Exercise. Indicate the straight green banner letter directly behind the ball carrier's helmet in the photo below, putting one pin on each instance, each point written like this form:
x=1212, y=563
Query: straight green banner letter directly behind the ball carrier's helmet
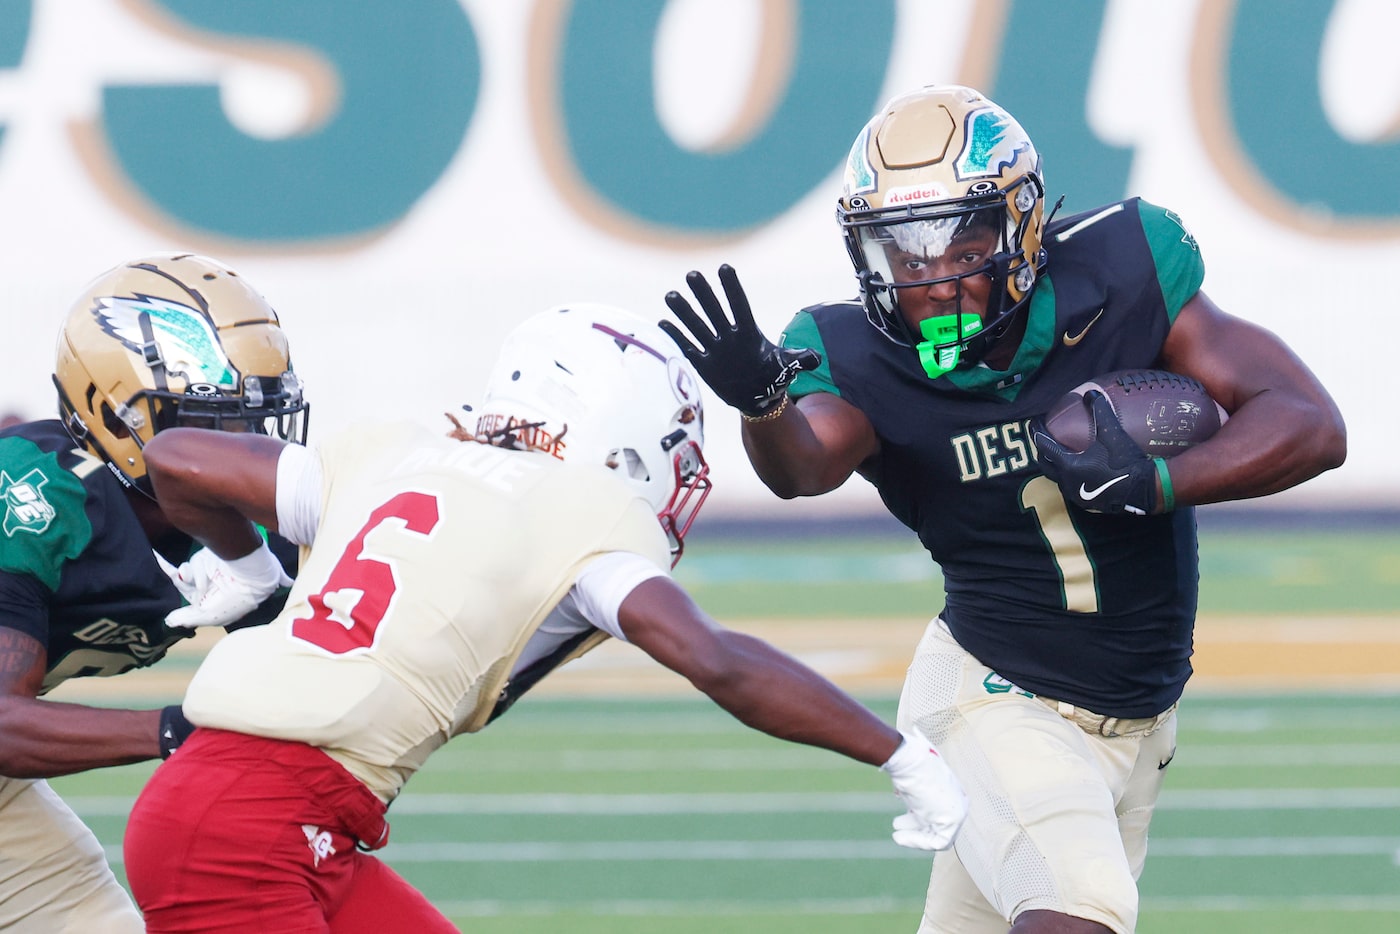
x=1042, y=78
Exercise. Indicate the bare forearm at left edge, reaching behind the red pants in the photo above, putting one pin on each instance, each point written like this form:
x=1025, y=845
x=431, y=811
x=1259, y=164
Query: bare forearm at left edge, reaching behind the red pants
x=44, y=739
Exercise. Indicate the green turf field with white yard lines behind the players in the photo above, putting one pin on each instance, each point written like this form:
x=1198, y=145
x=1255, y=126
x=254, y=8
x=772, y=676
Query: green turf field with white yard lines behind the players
x=661, y=816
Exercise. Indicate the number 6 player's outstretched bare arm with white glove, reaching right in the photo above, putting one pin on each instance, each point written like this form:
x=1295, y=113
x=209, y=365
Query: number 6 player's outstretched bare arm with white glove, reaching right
x=773, y=692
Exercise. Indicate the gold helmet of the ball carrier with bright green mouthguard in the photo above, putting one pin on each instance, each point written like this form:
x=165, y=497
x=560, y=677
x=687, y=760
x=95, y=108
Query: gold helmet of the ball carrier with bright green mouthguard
x=932, y=166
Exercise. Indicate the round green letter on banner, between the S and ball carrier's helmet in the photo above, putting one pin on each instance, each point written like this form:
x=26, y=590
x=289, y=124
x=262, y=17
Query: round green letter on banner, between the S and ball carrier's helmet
x=625, y=156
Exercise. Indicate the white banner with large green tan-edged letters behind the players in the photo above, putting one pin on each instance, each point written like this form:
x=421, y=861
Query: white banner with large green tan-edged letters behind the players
x=408, y=180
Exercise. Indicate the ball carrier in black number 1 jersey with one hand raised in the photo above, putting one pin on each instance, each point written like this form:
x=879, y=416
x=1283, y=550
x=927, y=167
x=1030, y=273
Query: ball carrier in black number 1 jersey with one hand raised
x=1051, y=677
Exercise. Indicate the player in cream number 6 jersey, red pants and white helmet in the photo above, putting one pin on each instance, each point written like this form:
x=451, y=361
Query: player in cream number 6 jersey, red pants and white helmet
x=442, y=578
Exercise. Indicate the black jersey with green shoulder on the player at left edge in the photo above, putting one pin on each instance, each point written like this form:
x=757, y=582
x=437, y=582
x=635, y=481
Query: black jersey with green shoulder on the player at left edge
x=76, y=569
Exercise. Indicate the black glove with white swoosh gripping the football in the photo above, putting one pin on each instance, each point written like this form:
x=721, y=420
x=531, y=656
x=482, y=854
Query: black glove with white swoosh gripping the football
x=1112, y=475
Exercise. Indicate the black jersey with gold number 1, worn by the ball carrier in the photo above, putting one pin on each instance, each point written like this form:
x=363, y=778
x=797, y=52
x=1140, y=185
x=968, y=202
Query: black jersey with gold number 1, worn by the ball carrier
x=1087, y=608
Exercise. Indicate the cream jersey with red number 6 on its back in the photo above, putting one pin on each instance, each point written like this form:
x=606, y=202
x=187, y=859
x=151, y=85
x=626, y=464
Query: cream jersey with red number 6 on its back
x=435, y=562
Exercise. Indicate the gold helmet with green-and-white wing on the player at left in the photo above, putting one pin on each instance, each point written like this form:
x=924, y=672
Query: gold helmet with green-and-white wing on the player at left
x=173, y=340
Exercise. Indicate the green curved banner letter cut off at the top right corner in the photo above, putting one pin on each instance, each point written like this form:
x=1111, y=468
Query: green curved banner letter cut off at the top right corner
x=1275, y=57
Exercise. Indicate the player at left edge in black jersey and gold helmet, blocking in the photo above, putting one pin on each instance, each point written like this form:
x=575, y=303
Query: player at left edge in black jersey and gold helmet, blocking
x=90, y=568
